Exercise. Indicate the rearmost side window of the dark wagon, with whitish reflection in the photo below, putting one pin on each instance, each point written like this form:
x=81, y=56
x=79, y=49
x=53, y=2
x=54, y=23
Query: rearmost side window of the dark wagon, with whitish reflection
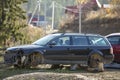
x=98, y=41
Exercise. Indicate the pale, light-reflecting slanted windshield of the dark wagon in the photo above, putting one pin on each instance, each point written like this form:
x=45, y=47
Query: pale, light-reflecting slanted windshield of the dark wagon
x=43, y=41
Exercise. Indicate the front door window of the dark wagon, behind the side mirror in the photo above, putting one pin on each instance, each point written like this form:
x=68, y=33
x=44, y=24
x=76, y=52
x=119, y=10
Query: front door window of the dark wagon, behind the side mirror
x=62, y=41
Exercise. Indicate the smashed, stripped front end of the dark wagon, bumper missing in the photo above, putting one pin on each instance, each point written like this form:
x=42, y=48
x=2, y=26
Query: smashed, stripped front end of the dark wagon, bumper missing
x=15, y=57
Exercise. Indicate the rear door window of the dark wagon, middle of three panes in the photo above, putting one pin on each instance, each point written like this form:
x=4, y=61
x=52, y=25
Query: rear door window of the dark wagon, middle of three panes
x=80, y=40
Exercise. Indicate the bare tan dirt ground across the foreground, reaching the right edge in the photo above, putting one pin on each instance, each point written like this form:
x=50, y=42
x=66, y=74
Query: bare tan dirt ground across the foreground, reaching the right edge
x=108, y=74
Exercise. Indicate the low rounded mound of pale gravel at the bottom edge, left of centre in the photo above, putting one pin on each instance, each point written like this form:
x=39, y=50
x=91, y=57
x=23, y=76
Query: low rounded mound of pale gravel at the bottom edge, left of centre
x=47, y=76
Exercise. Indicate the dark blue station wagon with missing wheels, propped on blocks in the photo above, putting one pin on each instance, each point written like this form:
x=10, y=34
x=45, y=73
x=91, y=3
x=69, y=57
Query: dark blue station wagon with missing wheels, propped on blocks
x=62, y=48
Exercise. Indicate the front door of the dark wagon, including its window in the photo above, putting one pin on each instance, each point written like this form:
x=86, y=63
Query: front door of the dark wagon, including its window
x=60, y=49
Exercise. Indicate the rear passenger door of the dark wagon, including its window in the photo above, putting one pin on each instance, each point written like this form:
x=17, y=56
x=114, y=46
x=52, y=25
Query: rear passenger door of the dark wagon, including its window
x=79, y=49
